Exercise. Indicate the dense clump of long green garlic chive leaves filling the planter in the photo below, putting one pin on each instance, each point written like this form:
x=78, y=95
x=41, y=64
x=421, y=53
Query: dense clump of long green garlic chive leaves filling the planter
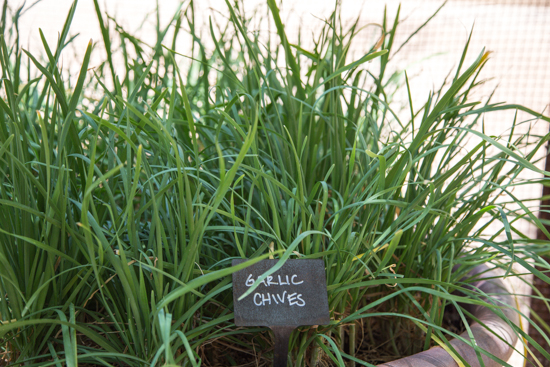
x=118, y=221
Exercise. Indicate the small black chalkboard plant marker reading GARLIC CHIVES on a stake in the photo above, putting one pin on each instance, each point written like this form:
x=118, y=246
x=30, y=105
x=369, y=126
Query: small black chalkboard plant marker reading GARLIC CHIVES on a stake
x=294, y=295
